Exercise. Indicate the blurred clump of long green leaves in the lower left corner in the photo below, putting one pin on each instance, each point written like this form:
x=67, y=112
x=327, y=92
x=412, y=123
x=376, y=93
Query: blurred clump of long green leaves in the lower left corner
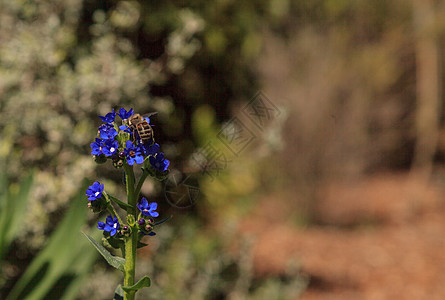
x=60, y=268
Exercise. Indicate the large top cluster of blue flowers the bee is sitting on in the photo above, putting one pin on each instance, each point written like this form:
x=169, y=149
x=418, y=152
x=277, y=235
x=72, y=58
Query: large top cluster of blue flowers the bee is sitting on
x=121, y=143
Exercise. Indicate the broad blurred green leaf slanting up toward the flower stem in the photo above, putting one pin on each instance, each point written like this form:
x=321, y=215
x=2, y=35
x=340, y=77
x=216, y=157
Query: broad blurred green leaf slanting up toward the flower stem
x=64, y=258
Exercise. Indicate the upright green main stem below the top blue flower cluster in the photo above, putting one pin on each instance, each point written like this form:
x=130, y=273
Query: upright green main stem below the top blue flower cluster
x=131, y=241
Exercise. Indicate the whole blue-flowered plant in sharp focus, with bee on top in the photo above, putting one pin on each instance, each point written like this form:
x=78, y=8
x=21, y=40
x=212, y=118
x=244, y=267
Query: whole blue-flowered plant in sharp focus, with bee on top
x=126, y=144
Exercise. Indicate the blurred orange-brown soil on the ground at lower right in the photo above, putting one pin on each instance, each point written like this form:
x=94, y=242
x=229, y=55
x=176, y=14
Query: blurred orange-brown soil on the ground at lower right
x=380, y=238
